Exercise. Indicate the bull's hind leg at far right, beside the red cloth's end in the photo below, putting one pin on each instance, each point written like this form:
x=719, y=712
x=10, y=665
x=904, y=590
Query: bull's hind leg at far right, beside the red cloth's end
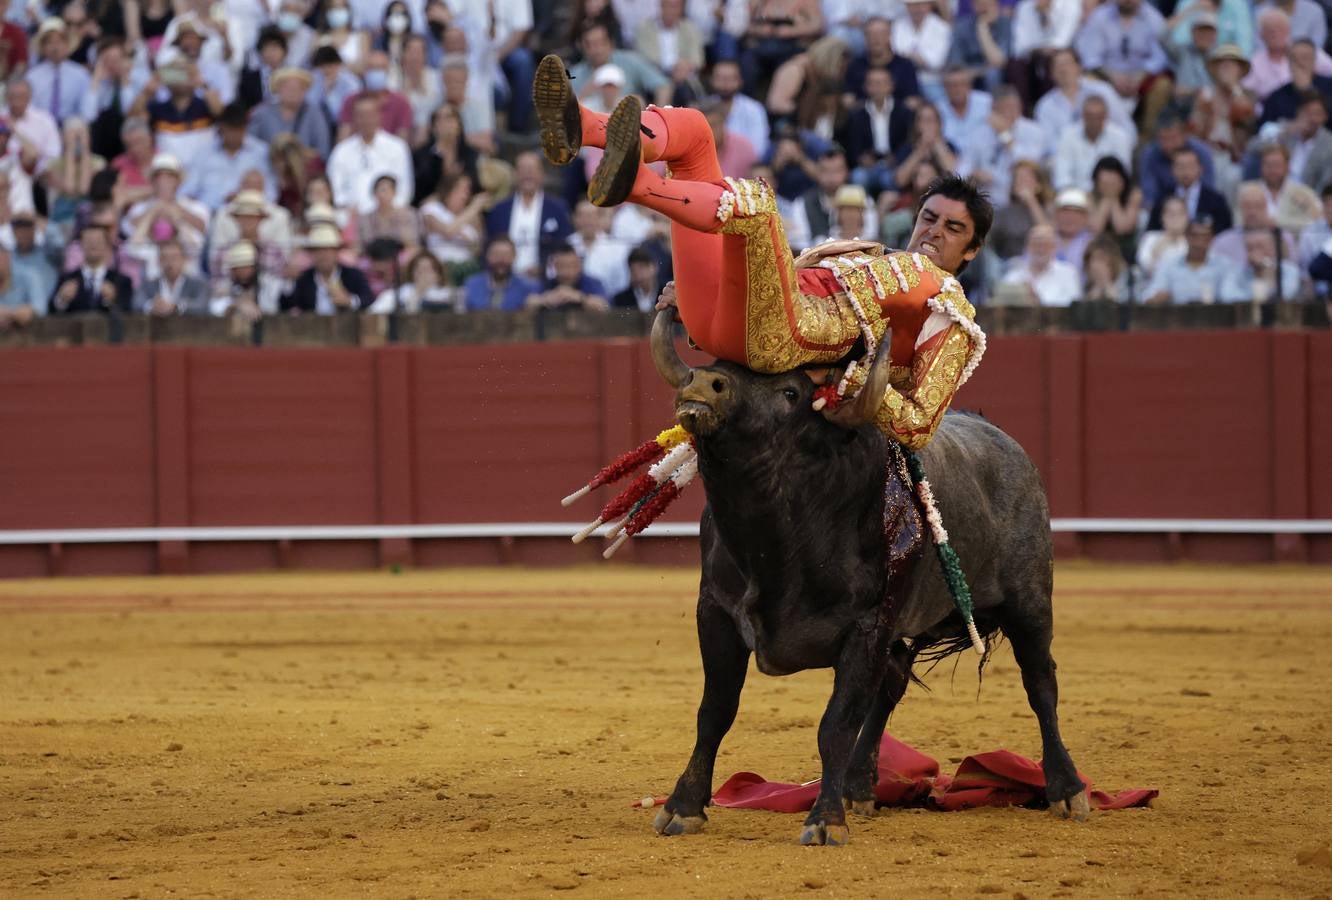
x=1030, y=642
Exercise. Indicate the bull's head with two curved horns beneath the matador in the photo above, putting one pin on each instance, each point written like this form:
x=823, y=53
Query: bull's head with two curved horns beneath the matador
x=724, y=393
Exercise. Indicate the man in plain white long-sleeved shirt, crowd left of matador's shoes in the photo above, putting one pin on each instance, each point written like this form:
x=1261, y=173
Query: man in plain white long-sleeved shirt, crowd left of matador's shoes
x=370, y=152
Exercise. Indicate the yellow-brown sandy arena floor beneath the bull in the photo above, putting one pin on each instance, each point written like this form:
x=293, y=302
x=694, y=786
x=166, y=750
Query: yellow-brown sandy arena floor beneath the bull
x=480, y=734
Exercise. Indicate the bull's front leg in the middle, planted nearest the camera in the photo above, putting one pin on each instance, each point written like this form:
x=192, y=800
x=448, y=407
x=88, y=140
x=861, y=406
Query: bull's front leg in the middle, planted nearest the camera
x=854, y=684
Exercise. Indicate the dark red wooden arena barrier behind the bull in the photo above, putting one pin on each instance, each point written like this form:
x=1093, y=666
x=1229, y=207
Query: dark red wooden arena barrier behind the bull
x=1136, y=425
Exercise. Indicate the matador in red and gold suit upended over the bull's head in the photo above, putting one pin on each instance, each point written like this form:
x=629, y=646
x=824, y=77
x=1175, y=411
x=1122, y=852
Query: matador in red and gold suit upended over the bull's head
x=744, y=298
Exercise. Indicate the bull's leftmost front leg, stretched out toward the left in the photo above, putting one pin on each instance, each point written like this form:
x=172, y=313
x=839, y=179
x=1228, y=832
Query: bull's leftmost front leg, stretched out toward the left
x=725, y=665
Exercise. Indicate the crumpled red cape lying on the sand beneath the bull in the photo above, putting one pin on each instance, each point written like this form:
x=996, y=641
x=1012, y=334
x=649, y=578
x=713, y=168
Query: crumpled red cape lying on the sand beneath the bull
x=909, y=778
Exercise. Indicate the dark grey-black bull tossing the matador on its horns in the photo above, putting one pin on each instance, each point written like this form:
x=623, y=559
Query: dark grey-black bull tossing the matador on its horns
x=796, y=572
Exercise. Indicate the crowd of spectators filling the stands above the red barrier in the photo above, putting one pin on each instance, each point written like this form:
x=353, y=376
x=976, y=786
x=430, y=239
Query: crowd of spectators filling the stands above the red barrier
x=247, y=158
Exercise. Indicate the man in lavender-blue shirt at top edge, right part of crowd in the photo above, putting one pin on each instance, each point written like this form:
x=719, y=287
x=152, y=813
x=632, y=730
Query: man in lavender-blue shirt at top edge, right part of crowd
x=1122, y=42
